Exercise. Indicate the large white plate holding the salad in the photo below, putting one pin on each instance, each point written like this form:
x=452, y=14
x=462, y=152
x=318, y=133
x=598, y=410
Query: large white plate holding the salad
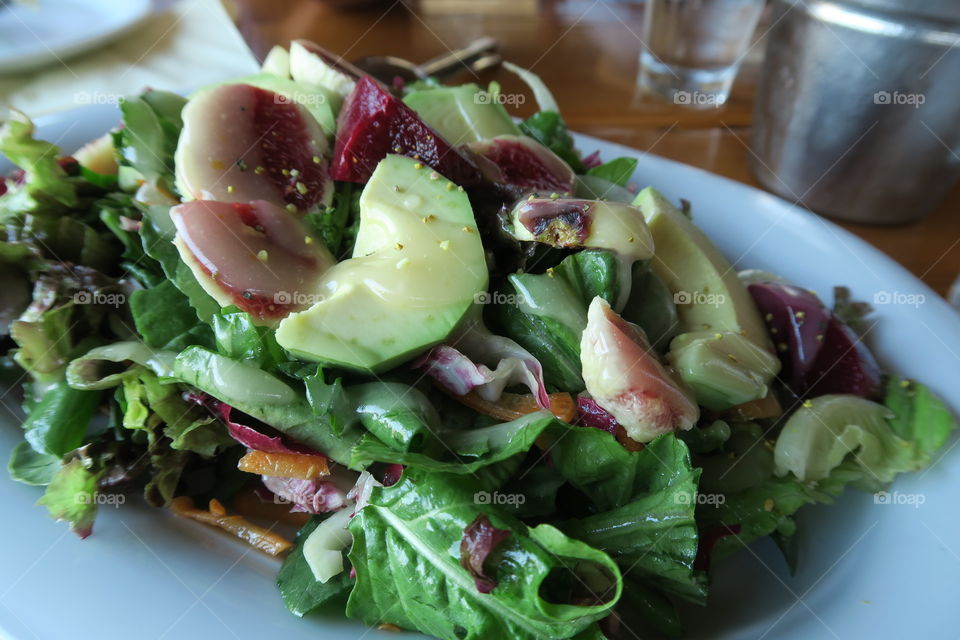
x=867, y=570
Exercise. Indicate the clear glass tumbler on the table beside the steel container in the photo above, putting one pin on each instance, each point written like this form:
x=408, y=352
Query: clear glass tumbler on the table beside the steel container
x=693, y=48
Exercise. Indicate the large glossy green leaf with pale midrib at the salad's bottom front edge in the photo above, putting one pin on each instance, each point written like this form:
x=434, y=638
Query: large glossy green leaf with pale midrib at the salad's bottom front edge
x=406, y=556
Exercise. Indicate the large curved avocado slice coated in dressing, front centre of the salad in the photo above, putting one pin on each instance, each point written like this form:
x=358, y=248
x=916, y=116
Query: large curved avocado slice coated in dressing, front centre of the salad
x=417, y=266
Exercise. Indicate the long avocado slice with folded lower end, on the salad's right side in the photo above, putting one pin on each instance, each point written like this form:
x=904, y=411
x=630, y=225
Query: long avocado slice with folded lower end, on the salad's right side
x=723, y=352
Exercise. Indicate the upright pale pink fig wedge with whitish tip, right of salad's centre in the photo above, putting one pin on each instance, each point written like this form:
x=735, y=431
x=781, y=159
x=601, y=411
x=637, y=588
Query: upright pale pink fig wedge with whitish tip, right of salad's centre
x=624, y=376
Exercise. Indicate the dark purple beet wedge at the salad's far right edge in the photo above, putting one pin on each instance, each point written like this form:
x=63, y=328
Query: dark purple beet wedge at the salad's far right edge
x=820, y=354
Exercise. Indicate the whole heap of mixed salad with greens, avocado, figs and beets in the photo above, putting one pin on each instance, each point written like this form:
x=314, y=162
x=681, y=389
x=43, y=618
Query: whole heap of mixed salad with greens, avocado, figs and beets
x=503, y=395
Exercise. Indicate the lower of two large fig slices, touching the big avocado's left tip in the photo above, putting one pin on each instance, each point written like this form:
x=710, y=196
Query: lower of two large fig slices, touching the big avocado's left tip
x=256, y=256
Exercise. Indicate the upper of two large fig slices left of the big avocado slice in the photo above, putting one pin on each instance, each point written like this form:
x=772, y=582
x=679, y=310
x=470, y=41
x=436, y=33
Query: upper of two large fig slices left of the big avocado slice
x=242, y=143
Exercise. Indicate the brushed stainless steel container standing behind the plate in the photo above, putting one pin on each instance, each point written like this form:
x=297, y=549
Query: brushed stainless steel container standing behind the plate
x=858, y=109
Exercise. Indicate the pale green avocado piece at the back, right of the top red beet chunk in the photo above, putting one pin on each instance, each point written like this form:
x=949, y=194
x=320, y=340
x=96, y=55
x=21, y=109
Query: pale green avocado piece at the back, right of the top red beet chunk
x=462, y=114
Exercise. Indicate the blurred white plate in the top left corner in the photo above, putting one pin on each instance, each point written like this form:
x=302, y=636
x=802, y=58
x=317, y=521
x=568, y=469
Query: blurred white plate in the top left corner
x=32, y=35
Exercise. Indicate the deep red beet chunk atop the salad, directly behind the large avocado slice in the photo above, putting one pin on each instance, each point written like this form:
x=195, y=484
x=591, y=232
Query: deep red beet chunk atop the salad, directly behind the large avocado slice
x=373, y=123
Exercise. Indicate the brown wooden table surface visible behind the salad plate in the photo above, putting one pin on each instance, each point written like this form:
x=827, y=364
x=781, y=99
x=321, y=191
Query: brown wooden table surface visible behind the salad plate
x=587, y=52
